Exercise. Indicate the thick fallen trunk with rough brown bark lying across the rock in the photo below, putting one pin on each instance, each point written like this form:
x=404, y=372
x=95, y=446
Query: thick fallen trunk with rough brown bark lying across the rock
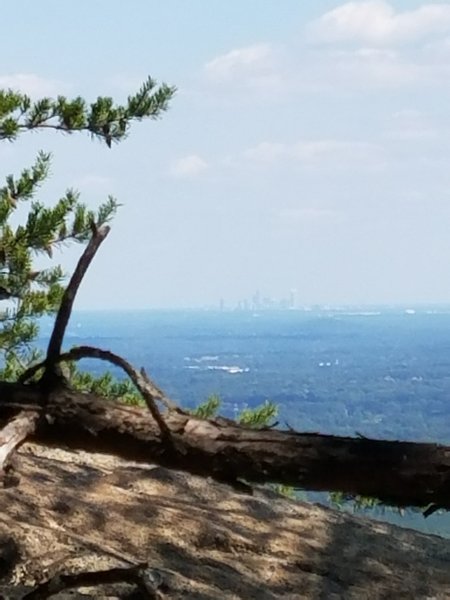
x=400, y=473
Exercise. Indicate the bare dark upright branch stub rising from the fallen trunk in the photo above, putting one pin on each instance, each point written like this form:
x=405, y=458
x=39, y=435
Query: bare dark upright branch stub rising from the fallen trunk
x=65, y=309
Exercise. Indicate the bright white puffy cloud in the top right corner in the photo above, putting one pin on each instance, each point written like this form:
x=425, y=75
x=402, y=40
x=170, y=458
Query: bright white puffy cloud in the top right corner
x=376, y=22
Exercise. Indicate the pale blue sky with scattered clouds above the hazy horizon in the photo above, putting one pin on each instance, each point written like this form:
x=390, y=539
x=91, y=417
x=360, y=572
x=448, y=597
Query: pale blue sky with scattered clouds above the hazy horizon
x=307, y=147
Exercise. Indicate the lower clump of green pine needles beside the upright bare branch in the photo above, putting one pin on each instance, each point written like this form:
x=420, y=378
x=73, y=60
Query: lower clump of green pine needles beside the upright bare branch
x=36, y=292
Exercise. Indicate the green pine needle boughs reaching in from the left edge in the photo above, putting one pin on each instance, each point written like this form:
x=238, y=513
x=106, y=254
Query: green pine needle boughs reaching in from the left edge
x=26, y=292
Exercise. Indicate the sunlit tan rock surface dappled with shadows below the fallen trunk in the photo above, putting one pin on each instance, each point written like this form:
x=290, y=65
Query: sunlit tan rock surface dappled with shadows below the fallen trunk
x=70, y=512
